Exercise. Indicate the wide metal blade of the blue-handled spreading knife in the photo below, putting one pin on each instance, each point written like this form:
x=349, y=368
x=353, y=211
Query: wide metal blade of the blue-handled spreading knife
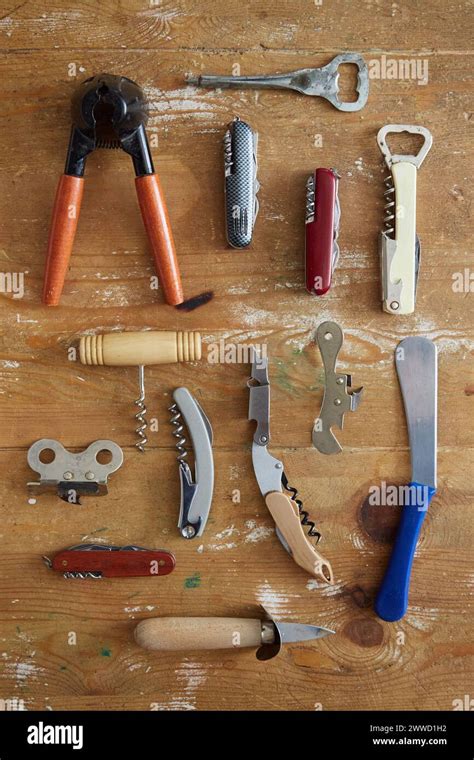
x=417, y=367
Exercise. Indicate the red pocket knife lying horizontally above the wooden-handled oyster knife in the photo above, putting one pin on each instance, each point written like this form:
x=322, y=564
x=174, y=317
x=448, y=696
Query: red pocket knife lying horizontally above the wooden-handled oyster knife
x=99, y=561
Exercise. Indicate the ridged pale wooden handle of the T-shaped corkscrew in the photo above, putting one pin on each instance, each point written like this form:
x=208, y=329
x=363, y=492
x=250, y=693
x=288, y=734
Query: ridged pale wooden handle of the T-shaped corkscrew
x=135, y=348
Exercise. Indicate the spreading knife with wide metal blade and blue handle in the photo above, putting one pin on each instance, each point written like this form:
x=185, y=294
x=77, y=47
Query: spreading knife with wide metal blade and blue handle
x=417, y=368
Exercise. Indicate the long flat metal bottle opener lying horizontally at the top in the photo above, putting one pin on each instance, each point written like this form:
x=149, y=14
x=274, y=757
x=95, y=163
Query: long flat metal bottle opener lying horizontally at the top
x=321, y=81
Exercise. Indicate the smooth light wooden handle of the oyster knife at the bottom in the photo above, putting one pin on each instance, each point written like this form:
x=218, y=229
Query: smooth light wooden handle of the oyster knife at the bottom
x=174, y=634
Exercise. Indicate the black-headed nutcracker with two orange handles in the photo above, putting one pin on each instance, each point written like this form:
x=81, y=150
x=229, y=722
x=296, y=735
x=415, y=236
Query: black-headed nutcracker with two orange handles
x=109, y=112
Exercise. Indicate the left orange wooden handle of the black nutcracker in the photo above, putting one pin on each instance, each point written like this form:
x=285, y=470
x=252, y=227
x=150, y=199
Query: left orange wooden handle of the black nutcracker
x=67, y=206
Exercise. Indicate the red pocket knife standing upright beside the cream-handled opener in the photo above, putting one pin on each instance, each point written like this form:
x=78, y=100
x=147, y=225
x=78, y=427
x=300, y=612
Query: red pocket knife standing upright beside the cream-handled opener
x=322, y=227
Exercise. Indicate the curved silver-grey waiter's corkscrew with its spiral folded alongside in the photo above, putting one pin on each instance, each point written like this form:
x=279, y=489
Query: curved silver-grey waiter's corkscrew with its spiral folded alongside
x=197, y=489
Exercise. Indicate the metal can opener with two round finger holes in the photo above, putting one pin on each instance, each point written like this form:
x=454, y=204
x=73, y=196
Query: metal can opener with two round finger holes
x=73, y=475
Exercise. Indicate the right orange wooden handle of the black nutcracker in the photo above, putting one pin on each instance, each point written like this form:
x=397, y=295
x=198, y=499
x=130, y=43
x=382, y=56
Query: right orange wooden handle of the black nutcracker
x=157, y=224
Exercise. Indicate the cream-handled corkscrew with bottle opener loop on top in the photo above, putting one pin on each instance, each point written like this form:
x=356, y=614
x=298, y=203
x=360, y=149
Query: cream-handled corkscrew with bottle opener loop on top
x=399, y=244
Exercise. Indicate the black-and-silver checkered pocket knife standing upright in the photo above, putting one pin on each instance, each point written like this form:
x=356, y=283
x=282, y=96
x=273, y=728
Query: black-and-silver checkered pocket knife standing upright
x=241, y=184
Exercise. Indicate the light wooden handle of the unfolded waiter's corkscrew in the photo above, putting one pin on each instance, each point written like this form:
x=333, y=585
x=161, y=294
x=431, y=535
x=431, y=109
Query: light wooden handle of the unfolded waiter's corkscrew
x=285, y=513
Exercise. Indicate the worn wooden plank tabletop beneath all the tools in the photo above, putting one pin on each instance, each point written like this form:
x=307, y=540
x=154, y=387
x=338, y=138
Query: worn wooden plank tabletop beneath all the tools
x=425, y=660
